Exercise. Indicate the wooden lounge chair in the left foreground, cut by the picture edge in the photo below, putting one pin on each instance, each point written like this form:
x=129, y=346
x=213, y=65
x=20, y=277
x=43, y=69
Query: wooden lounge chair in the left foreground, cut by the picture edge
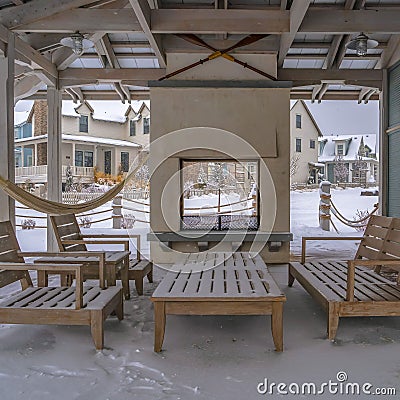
x=71, y=305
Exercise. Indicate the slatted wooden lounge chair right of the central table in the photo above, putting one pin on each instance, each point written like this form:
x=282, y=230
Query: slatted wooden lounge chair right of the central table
x=354, y=288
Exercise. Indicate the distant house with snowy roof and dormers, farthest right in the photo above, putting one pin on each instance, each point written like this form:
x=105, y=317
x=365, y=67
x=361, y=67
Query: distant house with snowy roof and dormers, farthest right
x=349, y=158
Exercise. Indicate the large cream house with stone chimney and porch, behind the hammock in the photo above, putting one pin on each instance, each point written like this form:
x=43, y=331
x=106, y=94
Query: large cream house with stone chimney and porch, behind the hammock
x=98, y=134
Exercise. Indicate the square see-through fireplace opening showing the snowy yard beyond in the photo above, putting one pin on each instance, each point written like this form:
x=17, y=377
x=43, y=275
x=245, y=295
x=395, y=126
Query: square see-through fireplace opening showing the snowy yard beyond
x=219, y=195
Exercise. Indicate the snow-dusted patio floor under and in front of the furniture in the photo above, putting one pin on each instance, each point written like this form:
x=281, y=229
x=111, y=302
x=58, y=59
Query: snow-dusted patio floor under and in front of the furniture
x=203, y=357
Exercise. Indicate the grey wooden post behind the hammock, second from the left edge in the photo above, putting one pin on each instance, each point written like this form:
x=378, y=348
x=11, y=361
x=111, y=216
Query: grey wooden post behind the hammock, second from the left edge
x=54, y=167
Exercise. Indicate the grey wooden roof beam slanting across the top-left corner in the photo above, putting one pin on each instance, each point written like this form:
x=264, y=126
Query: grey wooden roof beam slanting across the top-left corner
x=36, y=10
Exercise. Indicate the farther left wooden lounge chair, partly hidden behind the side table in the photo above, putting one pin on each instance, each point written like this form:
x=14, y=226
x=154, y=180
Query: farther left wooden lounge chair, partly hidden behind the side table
x=70, y=238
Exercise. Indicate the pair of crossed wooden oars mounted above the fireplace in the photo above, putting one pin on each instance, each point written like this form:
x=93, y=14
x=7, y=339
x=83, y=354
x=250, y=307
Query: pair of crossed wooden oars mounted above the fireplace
x=220, y=53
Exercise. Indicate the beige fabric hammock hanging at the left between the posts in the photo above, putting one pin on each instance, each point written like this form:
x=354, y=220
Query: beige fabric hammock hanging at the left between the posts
x=54, y=208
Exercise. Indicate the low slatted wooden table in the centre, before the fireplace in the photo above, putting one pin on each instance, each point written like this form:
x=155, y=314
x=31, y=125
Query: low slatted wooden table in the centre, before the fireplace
x=216, y=284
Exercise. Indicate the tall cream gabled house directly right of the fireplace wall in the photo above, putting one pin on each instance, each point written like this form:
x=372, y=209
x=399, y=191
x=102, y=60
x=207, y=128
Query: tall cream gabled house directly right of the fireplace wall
x=304, y=134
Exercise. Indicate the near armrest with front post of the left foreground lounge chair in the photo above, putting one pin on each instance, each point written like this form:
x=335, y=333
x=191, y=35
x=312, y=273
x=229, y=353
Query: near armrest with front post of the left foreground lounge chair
x=75, y=268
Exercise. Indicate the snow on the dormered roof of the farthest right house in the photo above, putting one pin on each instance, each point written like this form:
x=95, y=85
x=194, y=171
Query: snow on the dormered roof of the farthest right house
x=353, y=142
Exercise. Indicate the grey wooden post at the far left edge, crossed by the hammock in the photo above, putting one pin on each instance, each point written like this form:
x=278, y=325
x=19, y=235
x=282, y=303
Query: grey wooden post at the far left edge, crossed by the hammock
x=7, y=159
